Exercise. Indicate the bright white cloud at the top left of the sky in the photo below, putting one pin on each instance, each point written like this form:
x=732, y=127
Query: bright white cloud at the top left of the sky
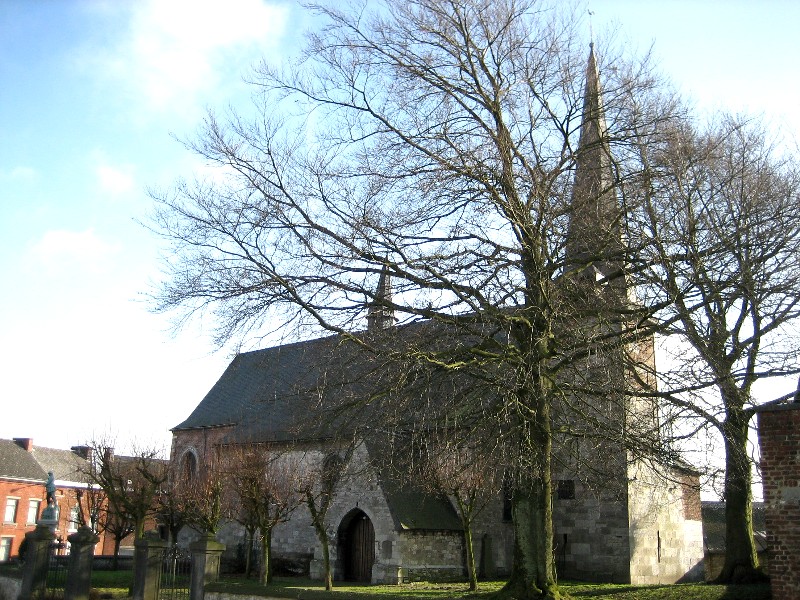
x=180, y=50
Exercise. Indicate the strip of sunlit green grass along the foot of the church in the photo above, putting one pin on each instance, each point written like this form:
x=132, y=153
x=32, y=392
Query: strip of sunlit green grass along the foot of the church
x=311, y=590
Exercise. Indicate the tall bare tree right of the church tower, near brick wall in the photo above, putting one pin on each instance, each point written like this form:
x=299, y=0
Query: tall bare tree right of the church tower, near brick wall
x=721, y=227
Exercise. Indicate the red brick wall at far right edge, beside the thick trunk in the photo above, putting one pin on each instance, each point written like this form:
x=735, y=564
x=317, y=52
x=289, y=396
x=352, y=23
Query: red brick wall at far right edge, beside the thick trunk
x=779, y=439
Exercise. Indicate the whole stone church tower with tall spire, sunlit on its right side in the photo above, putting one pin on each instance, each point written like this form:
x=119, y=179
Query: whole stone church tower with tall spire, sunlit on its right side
x=652, y=530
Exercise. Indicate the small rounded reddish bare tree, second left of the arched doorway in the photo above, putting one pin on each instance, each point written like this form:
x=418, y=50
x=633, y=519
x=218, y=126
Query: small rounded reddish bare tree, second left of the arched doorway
x=266, y=485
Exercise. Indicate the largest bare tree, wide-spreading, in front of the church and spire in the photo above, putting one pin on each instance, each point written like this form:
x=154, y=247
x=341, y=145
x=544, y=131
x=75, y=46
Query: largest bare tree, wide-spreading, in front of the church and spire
x=434, y=143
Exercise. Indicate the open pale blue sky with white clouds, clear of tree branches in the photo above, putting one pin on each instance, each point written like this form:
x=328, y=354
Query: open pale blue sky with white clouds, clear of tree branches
x=92, y=94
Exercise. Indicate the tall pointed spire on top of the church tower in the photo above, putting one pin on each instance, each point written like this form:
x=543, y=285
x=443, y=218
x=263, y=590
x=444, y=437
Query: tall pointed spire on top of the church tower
x=594, y=233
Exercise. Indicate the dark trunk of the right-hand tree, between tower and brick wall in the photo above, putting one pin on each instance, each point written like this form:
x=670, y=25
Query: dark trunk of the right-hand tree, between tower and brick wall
x=741, y=560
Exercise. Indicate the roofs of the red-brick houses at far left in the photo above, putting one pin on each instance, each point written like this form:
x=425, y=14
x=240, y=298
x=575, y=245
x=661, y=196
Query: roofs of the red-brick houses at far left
x=18, y=463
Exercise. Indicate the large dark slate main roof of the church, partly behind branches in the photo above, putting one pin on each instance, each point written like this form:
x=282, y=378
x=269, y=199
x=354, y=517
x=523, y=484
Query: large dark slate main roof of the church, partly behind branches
x=301, y=391
